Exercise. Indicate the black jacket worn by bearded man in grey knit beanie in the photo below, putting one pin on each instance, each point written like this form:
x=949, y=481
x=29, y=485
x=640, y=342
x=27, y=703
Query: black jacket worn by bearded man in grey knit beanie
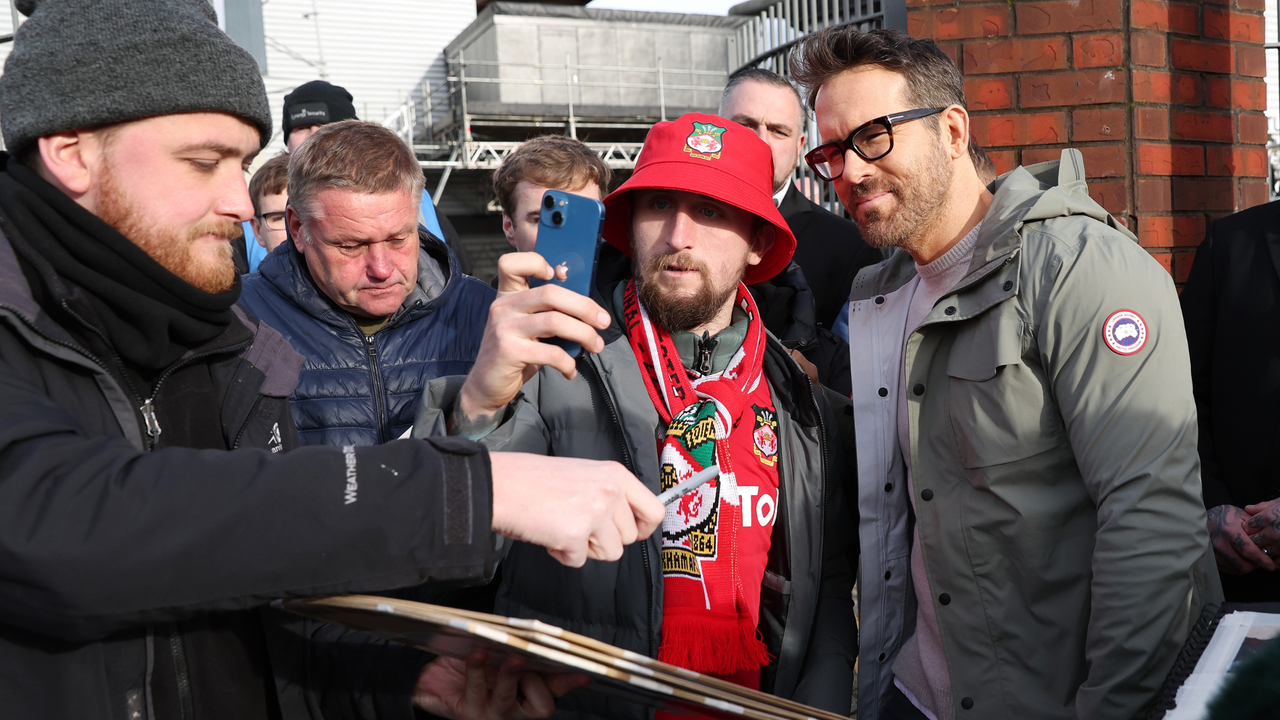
x=111, y=553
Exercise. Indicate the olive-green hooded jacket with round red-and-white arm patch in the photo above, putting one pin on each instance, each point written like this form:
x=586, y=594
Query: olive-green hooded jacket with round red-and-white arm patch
x=1058, y=486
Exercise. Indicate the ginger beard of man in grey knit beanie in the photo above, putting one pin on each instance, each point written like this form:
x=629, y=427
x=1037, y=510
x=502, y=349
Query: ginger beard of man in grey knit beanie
x=173, y=249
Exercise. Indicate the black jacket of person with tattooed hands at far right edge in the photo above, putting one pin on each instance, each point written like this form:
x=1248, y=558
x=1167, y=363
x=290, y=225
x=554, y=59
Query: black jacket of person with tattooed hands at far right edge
x=1232, y=308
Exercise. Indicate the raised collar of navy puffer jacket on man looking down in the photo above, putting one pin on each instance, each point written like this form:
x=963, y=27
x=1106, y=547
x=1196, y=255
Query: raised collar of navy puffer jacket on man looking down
x=438, y=277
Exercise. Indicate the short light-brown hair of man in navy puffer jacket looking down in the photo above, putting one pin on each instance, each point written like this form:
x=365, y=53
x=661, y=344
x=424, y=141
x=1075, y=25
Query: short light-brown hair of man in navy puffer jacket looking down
x=353, y=156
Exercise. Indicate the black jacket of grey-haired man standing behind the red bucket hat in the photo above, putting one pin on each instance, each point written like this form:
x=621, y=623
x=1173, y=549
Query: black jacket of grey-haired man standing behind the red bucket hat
x=829, y=249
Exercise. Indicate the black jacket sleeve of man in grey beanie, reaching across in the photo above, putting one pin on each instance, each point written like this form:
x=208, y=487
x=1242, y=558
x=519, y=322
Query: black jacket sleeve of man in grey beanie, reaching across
x=97, y=536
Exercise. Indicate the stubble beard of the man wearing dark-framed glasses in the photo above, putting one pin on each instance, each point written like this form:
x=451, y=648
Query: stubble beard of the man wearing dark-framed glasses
x=922, y=199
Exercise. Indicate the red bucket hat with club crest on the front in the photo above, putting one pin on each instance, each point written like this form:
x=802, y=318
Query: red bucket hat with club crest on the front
x=712, y=157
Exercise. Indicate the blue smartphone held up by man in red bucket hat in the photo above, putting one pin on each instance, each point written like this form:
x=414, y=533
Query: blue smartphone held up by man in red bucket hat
x=569, y=235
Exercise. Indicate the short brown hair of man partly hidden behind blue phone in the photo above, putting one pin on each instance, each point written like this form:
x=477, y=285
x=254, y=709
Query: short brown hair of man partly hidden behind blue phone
x=550, y=161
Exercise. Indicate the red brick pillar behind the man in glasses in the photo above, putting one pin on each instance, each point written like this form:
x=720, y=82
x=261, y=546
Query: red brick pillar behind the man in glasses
x=1164, y=99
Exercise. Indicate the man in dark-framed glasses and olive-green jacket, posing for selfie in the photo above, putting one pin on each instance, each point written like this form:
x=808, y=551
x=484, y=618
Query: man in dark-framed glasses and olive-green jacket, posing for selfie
x=1021, y=384
